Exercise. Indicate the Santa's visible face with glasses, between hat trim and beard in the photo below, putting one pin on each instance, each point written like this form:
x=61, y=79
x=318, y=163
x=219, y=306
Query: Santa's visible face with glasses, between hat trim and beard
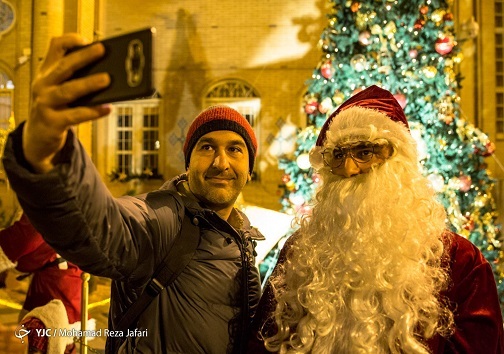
x=356, y=158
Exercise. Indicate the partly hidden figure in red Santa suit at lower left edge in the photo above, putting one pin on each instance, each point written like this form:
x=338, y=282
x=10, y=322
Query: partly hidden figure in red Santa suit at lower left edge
x=53, y=278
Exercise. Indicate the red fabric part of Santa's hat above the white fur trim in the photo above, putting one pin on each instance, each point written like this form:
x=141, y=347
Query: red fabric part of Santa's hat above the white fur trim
x=372, y=97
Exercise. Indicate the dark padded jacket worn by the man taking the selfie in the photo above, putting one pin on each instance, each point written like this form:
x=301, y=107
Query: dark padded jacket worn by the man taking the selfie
x=125, y=239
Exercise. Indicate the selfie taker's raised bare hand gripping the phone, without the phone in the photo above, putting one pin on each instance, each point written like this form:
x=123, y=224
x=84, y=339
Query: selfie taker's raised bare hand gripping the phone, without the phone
x=45, y=131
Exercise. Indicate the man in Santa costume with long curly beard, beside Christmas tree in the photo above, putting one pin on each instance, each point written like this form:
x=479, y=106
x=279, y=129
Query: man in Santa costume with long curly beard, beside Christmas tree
x=374, y=269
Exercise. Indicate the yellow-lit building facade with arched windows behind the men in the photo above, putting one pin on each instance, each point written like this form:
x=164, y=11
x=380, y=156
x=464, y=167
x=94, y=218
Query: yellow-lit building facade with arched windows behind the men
x=255, y=56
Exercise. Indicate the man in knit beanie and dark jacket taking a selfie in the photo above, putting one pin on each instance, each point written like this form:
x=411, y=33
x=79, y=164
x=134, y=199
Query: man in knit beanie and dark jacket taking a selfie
x=212, y=298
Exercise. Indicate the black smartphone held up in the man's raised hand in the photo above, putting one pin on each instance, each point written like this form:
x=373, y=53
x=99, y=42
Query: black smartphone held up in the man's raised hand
x=128, y=60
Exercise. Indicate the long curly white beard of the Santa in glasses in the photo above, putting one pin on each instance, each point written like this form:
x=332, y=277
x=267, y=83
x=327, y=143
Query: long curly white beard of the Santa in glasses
x=365, y=273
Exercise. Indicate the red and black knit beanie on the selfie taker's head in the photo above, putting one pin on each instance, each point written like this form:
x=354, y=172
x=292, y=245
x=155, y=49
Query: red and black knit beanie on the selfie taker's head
x=220, y=118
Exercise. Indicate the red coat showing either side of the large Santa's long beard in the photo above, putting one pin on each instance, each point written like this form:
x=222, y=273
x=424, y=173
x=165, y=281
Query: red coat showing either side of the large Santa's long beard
x=472, y=294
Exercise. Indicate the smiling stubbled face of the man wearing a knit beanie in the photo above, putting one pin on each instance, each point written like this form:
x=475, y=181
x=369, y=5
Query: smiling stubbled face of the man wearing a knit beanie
x=218, y=168
